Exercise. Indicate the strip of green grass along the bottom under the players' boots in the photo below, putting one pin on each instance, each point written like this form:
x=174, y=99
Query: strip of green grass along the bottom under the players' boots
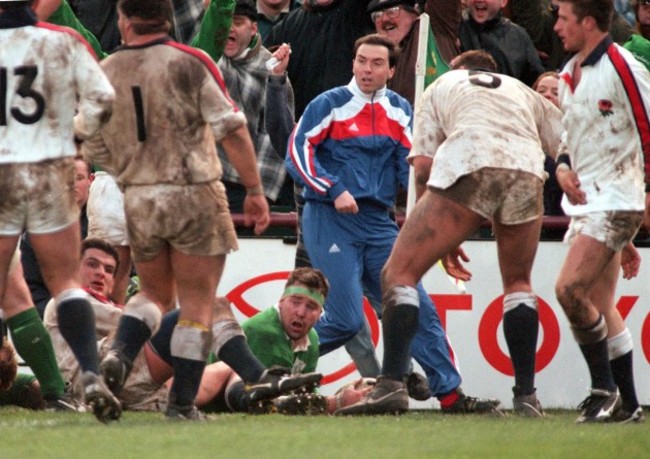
x=422, y=434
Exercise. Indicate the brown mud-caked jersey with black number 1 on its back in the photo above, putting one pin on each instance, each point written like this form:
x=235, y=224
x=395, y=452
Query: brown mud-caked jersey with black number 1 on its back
x=171, y=106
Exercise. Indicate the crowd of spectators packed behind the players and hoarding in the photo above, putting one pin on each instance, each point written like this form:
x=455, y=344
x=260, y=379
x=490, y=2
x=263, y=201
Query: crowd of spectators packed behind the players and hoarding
x=518, y=33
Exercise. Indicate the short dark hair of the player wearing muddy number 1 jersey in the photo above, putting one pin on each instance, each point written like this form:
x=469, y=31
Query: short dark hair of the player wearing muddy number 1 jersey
x=148, y=16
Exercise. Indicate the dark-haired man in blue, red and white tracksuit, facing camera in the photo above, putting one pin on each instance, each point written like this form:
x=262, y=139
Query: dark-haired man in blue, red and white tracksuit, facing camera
x=349, y=152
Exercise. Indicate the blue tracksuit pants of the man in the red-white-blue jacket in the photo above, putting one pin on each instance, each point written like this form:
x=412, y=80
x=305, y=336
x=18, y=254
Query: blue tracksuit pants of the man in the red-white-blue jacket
x=351, y=250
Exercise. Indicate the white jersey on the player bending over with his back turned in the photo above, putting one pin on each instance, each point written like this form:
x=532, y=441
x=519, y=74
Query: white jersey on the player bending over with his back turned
x=473, y=119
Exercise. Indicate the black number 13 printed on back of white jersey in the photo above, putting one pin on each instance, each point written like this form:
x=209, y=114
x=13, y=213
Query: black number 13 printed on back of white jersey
x=26, y=74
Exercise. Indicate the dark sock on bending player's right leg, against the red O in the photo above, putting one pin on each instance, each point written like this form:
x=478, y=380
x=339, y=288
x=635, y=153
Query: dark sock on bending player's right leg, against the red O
x=520, y=328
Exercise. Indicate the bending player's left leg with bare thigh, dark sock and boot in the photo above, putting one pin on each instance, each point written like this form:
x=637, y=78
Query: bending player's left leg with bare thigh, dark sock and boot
x=436, y=227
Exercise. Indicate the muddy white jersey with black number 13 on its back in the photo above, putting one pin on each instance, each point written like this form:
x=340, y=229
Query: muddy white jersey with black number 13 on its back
x=47, y=74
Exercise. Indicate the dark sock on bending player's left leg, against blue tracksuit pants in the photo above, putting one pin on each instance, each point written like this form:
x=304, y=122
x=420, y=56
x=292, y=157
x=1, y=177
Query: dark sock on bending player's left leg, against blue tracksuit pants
x=399, y=325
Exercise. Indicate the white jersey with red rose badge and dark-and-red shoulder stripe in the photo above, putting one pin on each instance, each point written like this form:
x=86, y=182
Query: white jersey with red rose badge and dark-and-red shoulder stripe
x=607, y=132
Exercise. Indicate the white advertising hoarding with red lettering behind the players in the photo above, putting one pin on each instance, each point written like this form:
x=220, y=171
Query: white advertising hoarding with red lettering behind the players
x=255, y=275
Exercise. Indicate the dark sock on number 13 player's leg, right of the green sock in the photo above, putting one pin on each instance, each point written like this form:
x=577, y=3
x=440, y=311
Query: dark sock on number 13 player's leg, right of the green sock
x=76, y=319
